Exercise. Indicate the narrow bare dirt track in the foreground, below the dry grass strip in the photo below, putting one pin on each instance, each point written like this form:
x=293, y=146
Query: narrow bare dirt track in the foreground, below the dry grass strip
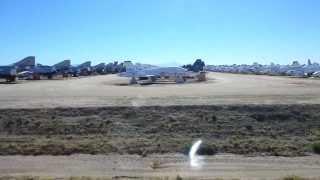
x=225, y=166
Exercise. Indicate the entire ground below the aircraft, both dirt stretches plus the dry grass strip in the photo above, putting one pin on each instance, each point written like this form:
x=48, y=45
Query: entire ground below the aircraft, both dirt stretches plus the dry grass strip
x=120, y=130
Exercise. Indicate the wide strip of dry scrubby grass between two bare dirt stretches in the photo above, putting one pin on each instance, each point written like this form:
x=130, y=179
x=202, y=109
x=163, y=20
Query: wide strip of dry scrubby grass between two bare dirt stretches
x=279, y=130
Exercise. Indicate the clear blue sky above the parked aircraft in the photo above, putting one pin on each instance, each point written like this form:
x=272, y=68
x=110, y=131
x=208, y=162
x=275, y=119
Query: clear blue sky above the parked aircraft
x=165, y=32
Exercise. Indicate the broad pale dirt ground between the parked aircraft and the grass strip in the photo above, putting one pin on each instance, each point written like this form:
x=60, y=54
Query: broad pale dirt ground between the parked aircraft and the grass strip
x=106, y=91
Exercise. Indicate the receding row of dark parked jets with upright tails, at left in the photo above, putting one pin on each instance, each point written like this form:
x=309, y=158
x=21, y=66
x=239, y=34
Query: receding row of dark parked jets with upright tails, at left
x=28, y=69
